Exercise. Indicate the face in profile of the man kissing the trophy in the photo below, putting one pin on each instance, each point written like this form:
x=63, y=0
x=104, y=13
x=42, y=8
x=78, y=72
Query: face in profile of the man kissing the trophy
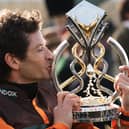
x=38, y=62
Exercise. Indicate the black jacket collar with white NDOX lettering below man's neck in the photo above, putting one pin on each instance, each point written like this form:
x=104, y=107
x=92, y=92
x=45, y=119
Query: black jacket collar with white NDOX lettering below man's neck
x=20, y=91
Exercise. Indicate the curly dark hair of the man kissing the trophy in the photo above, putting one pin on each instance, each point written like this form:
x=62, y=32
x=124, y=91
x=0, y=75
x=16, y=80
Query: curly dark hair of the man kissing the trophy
x=14, y=28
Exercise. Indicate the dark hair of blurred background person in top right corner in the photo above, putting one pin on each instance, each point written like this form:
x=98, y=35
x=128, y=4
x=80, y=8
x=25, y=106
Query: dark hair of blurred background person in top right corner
x=124, y=10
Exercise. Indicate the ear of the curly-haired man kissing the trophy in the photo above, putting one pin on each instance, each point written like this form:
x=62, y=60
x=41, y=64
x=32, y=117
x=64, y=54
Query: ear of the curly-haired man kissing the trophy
x=12, y=61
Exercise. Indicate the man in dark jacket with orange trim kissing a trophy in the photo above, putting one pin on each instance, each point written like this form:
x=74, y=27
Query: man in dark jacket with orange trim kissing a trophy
x=25, y=60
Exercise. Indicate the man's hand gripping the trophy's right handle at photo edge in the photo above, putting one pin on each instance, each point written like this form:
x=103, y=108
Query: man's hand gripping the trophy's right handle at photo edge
x=122, y=84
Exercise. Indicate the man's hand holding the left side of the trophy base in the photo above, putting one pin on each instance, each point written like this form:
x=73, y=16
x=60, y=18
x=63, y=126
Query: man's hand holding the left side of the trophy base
x=67, y=102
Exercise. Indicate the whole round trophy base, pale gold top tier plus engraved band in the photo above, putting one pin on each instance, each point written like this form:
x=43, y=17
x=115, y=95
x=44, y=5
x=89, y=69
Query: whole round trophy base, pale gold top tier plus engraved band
x=96, y=109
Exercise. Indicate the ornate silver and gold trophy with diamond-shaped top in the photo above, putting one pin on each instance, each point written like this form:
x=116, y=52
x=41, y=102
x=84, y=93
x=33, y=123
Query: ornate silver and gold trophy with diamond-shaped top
x=88, y=29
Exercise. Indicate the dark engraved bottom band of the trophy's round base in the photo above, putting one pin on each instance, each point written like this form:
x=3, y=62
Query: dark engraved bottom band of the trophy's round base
x=97, y=113
